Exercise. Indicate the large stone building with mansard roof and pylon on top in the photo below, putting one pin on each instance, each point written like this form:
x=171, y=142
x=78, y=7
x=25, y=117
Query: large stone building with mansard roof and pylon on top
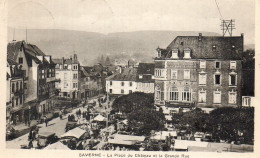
x=202, y=71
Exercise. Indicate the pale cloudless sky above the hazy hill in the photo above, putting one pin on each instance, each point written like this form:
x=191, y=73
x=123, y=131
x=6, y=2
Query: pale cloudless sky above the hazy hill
x=107, y=16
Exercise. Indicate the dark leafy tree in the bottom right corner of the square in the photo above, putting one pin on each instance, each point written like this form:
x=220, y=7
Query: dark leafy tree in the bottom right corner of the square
x=228, y=123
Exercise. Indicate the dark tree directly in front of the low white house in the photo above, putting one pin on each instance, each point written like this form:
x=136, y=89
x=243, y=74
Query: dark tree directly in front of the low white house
x=133, y=101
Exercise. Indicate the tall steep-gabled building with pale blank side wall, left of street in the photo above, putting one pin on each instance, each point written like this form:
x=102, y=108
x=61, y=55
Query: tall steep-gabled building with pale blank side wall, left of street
x=39, y=78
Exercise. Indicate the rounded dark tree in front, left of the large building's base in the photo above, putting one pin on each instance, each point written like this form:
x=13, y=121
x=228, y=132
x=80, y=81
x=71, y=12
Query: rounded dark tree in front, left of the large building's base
x=142, y=121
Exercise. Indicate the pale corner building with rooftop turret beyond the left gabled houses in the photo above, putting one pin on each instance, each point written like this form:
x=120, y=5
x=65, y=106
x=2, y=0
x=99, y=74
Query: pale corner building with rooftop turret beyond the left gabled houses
x=68, y=71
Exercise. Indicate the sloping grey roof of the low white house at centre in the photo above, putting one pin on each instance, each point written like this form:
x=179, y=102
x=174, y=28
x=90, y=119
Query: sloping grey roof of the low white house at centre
x=127, y=74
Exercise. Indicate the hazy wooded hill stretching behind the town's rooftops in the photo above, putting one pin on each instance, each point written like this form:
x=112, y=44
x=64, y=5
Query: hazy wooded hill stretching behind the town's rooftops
x=139, y=45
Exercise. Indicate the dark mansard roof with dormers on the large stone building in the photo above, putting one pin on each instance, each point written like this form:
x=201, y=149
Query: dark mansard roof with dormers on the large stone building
x=225, y=47
